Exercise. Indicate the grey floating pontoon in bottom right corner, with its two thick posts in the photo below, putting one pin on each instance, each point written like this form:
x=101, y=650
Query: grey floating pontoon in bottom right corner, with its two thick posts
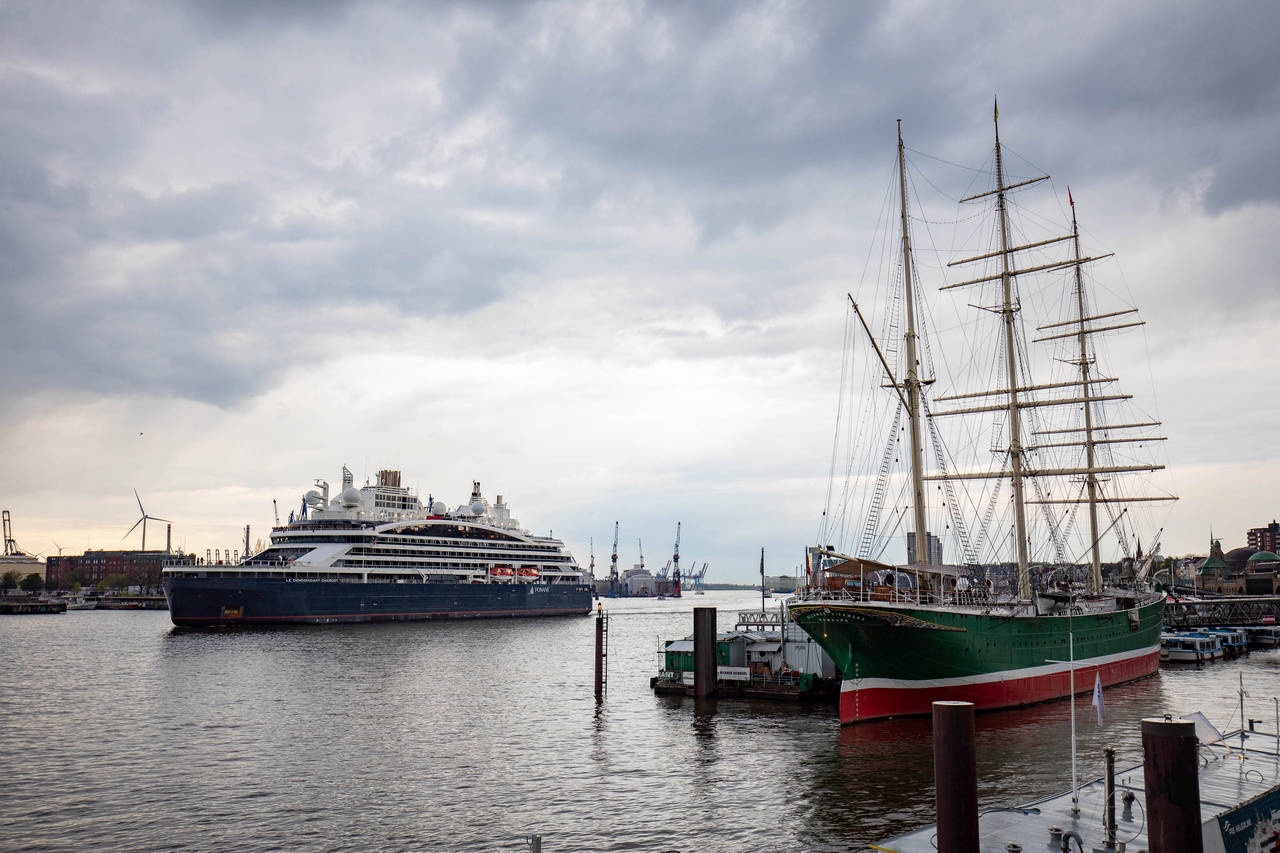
x=1197, y=791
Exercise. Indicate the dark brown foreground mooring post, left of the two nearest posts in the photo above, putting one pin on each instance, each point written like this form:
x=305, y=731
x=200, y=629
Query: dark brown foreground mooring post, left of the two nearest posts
x=956, y=777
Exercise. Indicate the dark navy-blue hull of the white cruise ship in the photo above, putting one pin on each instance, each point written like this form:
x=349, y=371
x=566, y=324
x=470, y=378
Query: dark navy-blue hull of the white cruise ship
x=277, y=601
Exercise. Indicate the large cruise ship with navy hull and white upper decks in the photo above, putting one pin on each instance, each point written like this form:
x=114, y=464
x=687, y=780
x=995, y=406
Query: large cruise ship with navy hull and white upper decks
x=378, y=554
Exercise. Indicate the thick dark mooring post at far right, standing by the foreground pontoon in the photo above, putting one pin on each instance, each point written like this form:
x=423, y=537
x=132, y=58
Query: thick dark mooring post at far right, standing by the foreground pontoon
x=1172, y=774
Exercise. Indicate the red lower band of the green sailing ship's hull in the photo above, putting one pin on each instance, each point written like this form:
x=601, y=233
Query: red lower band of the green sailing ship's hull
x=863, y=700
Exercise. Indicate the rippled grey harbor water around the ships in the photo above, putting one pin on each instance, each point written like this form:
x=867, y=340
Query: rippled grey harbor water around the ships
x=118, y=732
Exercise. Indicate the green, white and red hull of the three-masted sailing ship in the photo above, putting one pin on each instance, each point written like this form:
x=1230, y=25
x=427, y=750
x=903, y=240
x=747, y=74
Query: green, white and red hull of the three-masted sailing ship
x=897, y=662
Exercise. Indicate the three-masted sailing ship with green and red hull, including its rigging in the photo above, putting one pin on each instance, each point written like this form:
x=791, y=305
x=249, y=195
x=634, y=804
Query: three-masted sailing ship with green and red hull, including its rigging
x=1011, y=632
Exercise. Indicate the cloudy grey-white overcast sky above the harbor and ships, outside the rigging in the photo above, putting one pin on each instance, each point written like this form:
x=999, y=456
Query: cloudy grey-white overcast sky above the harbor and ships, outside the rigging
x=593, y=256
